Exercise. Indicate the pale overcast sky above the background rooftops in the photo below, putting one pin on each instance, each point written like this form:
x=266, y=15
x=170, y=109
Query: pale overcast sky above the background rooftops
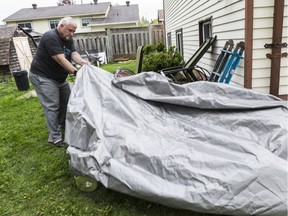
x=147, y=9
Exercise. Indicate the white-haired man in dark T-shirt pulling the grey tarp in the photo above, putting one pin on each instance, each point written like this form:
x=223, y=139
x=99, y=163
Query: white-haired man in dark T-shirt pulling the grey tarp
x=48, y=73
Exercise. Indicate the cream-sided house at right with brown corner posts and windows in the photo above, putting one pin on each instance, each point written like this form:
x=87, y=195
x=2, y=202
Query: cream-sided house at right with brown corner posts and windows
x=188, y=23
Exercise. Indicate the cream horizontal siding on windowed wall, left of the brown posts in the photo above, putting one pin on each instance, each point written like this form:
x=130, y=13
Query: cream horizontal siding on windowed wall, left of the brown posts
x=227, y=23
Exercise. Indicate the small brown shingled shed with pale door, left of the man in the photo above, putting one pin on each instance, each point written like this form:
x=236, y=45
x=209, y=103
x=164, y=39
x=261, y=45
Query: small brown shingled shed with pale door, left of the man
x=16, y=51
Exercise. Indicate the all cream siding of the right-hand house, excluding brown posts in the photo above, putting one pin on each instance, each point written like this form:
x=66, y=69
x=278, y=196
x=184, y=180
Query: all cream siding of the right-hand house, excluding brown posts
x=228, y=22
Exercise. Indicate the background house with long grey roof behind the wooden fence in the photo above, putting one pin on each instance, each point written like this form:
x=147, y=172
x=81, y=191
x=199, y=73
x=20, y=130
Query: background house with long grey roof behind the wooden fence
x=89, y=17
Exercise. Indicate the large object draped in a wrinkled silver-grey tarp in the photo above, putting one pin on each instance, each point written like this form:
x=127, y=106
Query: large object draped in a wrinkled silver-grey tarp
x=202, y=146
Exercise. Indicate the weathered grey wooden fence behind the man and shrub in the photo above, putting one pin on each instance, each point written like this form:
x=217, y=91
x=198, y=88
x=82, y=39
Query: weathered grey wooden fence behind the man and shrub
x=119, y=43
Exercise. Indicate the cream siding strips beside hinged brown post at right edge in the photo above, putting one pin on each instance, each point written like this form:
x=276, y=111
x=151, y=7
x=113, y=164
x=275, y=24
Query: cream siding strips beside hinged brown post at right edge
x=262, y=34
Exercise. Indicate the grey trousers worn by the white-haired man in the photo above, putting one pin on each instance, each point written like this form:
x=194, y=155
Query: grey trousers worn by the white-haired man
x=54, y=98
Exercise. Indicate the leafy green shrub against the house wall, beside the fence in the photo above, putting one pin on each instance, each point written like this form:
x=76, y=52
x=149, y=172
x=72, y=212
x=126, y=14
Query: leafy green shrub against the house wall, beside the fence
x=156, y=57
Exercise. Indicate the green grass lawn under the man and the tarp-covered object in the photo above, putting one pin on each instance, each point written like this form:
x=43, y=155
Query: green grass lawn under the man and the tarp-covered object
x=35, y=178
